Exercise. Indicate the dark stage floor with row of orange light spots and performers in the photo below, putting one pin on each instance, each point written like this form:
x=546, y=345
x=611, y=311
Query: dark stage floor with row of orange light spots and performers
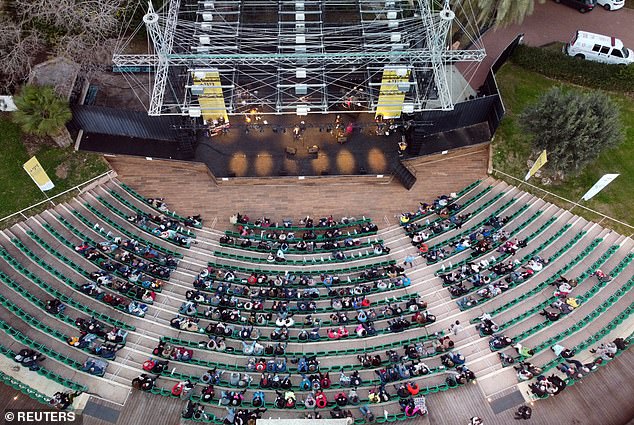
x=272, y=149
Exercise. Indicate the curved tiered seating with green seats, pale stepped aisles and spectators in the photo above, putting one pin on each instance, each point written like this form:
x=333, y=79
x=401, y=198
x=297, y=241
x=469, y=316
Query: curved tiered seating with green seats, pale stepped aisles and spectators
x=48, y=257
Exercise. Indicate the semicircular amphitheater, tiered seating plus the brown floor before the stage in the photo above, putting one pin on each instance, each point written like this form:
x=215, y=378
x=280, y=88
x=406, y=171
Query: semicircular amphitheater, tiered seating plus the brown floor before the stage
x=41, y=260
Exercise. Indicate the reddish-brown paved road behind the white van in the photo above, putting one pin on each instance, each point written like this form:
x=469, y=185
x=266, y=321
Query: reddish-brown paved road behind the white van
x=549, y=23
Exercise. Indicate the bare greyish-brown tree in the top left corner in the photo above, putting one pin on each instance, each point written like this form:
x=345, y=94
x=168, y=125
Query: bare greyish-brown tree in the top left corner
x=84, y=31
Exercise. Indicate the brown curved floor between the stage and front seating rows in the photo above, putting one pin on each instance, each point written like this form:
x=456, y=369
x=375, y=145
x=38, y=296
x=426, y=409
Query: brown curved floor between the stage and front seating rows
x=190, y=191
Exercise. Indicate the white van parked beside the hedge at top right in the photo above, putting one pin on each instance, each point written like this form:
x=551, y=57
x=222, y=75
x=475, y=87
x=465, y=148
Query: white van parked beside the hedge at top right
x=599, y=48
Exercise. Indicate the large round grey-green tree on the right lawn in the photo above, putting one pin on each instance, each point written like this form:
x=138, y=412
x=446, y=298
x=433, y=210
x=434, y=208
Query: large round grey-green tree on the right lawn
x=573, y=127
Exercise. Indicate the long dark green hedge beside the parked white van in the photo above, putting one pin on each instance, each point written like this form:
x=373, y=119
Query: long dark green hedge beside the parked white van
x=558, y=65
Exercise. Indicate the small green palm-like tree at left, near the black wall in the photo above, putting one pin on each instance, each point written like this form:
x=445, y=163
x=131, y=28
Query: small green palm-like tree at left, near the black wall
x=41, y=111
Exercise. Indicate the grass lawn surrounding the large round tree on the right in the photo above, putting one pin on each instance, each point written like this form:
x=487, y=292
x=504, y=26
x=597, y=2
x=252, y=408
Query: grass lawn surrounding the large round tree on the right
x=511, y=149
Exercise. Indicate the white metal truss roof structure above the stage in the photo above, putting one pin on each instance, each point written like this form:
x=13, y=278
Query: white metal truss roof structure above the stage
x=215, y=59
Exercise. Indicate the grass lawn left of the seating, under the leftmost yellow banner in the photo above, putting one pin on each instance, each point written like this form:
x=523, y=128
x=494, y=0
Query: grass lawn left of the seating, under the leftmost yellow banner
x=18, y=191
